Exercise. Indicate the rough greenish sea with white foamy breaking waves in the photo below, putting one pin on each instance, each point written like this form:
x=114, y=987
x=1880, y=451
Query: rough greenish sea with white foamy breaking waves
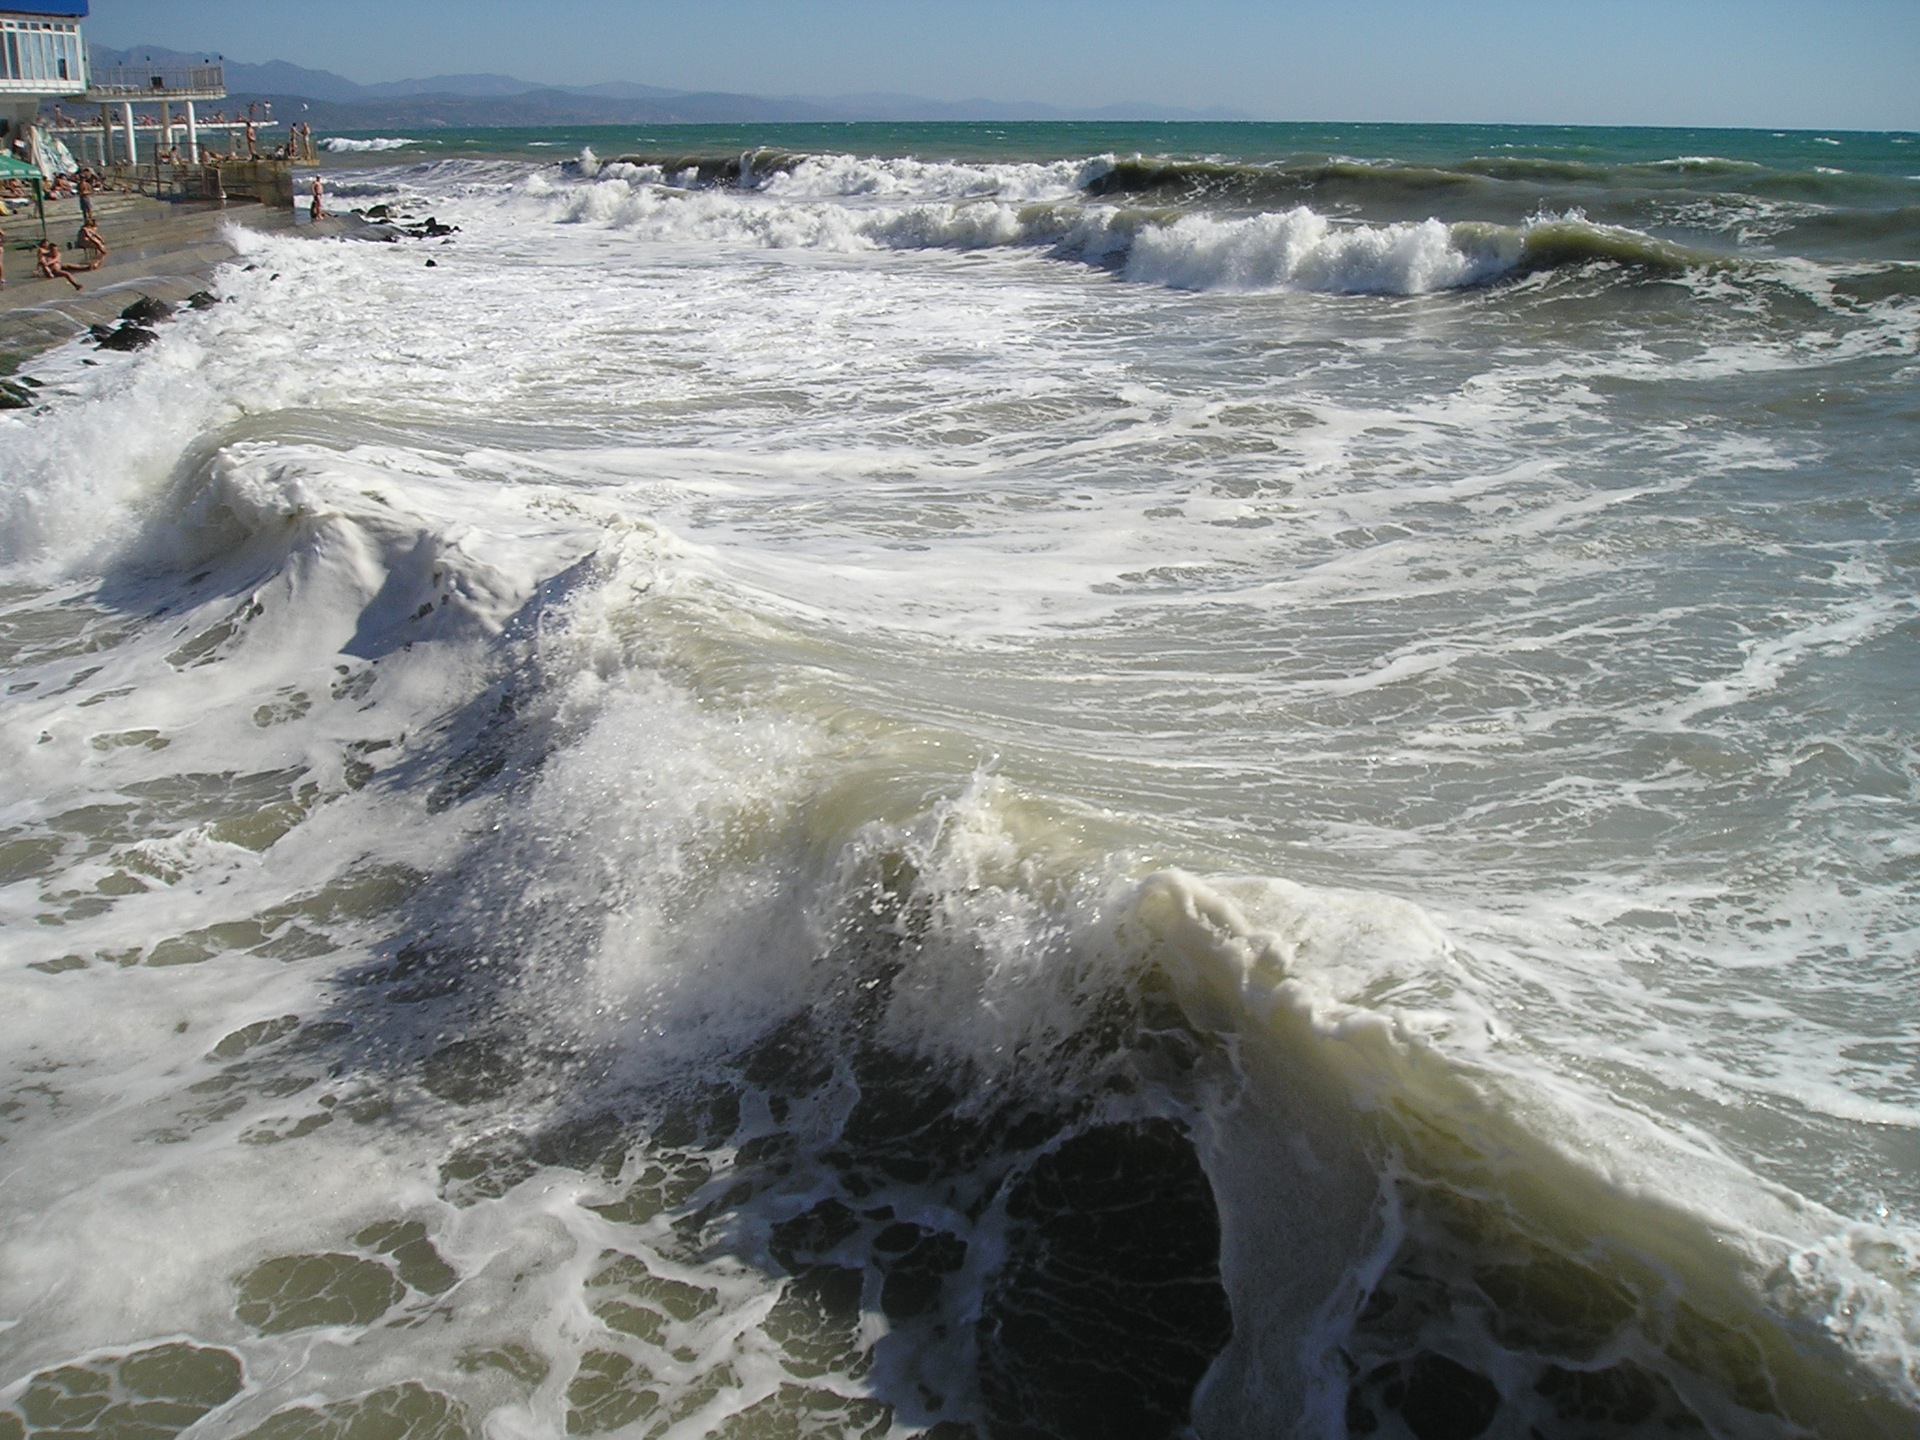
x=994, y=782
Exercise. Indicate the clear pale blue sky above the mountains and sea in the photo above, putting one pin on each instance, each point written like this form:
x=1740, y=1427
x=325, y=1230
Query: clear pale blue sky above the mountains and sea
x=1775, y=64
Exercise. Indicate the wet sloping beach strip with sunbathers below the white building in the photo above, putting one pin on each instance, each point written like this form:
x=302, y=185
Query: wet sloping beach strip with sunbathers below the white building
x=160, y=249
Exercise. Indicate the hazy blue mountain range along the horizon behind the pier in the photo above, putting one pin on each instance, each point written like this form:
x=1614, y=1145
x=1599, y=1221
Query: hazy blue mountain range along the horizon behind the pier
x=335, y=103
